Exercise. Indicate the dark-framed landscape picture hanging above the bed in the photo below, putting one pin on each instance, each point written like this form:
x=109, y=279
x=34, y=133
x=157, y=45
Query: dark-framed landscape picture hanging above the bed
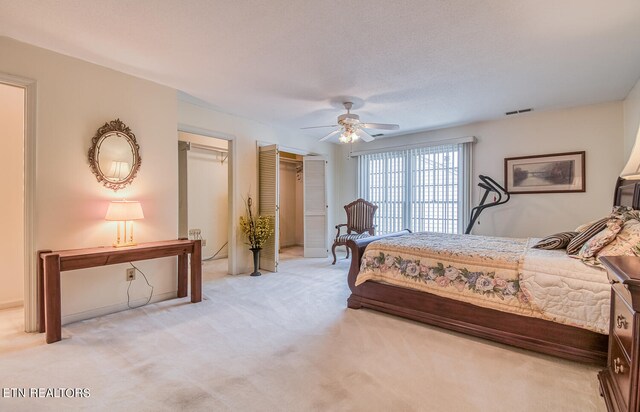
x=552, y=173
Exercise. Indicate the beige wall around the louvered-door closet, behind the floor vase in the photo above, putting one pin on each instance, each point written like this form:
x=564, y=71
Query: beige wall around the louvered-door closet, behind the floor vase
x=246, y=134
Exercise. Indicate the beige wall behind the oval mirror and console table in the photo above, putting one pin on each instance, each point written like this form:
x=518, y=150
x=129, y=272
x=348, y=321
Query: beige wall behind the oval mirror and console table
x=74, y=98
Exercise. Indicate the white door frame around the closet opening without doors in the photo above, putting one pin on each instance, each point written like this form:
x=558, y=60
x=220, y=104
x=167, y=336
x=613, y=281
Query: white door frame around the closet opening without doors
x=232, y=264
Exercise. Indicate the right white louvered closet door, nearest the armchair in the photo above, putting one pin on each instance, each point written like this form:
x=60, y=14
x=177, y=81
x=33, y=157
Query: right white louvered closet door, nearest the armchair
x=315, y=207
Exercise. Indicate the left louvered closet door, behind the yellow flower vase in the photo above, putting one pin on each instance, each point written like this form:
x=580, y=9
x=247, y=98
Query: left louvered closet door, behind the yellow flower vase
x=269, y=199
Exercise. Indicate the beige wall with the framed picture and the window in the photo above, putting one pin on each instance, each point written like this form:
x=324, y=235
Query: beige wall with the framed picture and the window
x=596, y=129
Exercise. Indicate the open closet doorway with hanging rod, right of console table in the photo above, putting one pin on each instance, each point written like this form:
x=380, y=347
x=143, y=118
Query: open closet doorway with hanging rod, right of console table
x=203, y=207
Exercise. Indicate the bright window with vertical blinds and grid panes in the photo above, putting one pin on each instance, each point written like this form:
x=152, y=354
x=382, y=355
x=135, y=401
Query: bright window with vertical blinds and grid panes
x=422, y=189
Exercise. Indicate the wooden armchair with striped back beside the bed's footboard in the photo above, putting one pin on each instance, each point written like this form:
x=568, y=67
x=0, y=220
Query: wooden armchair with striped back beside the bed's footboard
x=359, y=224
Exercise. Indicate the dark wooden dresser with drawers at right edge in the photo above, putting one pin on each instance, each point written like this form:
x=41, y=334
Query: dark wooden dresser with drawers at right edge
x=619, y=381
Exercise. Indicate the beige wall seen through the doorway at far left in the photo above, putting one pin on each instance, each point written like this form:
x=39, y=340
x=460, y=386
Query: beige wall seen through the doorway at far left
x=11, y=187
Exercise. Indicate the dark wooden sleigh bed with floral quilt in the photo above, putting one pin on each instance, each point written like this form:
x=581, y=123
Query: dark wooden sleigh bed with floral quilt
x=504, y=318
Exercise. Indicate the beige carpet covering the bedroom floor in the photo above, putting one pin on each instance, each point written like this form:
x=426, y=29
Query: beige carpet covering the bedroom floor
x=282, y=342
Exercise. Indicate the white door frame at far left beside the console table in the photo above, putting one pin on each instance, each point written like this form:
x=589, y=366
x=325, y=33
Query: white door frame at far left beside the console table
x=29, y=144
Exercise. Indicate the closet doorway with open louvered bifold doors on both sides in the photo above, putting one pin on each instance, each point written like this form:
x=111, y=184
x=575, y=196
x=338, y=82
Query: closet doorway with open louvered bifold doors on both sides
x=292, y=189
